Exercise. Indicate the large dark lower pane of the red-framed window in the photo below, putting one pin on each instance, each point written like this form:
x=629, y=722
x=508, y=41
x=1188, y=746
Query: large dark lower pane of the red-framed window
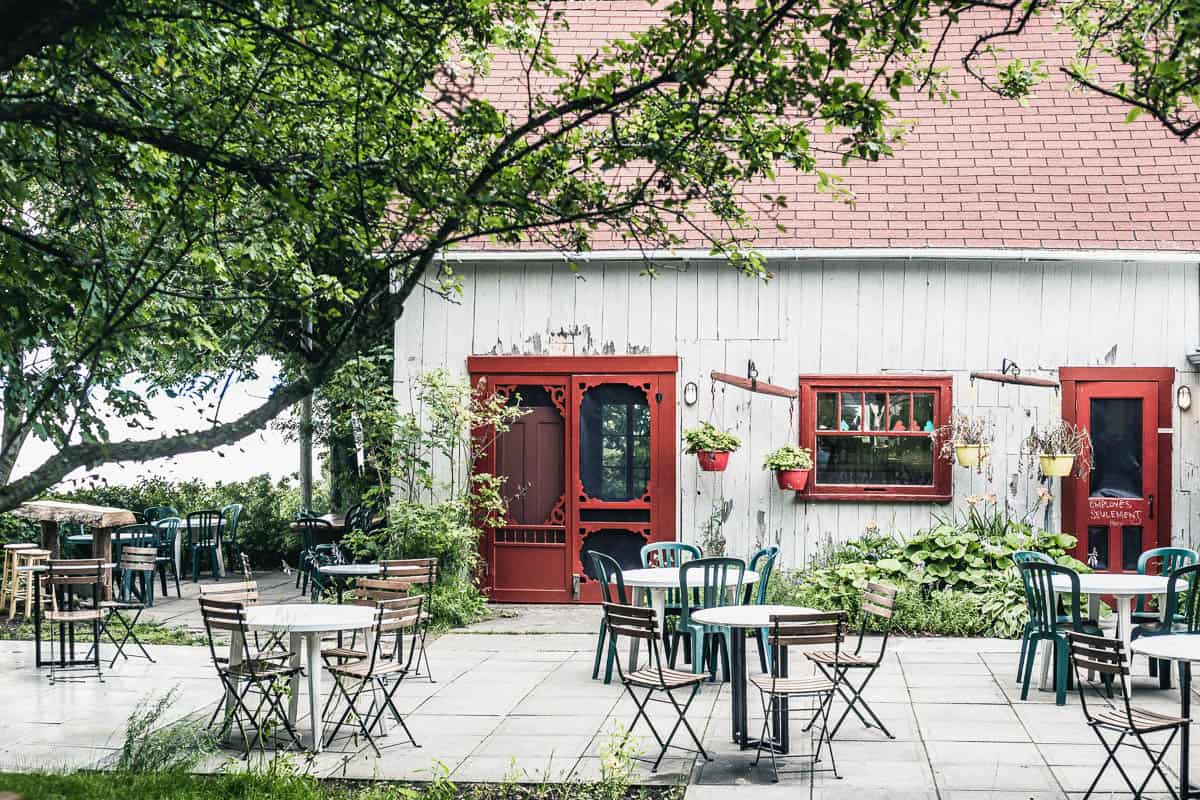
x=899, y=461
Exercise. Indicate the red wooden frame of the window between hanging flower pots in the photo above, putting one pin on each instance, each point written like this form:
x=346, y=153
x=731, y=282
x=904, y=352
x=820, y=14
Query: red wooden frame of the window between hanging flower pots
x=941, y=387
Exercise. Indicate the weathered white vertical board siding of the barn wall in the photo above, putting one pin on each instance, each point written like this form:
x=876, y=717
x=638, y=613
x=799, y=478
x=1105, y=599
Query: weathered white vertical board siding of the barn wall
x=832, y=316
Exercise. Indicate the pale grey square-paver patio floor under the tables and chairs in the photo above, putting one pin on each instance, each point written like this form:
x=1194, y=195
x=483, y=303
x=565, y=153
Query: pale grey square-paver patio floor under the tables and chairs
x=514, y=697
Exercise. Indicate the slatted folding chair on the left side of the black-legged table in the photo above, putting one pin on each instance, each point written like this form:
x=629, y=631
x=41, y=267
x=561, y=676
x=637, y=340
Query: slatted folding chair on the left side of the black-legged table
x=641, y=624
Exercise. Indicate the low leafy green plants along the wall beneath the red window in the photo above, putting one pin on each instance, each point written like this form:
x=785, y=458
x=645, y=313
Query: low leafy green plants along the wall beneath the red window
x=956, y=579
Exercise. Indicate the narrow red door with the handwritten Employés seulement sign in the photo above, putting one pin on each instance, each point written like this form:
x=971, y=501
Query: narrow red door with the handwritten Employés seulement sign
x=1117, y=507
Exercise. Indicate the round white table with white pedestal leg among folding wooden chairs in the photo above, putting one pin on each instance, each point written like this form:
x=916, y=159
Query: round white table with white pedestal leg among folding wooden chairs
x=307, y=623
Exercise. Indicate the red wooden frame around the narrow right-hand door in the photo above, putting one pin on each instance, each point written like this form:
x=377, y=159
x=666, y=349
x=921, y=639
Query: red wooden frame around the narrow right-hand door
x=1071, y=378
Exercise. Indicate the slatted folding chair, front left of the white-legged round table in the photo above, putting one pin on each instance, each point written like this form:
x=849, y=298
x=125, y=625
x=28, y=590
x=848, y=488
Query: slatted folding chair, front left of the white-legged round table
x=247, y=678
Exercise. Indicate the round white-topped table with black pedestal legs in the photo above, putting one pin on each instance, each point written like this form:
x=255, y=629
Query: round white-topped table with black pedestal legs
x=748, y=618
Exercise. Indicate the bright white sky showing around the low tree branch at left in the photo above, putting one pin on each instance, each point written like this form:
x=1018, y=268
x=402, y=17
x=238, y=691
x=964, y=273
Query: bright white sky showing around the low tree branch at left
x=266, y=452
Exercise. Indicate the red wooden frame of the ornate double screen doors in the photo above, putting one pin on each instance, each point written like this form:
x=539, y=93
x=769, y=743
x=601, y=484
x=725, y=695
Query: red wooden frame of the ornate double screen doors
x=535, y=370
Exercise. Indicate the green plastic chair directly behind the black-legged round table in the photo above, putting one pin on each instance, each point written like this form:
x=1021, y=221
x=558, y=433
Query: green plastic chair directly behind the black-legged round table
x=711, y=584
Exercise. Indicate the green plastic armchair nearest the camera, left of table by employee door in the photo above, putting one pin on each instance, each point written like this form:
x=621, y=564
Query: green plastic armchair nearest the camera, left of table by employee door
x=1047, y=625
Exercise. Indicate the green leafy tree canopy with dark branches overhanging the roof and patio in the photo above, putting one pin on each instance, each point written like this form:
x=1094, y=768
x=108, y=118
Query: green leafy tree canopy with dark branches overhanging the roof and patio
x=188, y=187
